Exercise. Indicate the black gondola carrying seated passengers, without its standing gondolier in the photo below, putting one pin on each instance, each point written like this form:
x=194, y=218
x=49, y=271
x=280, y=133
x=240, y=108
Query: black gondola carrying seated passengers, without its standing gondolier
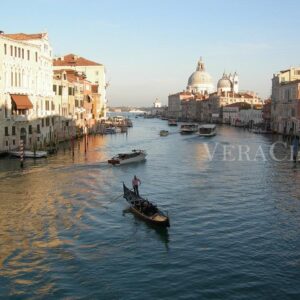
x=144, y=209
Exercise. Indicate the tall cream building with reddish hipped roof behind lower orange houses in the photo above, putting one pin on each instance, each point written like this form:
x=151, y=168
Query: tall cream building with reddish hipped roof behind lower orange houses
x=92, y=71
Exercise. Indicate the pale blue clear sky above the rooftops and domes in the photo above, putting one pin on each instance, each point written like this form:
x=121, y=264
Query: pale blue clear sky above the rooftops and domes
x=150, y=48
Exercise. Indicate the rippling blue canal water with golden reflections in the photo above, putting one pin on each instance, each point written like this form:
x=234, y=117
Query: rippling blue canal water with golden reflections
x=235, y=220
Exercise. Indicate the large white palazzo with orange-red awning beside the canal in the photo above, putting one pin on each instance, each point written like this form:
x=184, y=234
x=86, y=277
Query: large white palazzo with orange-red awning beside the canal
x=26, y=96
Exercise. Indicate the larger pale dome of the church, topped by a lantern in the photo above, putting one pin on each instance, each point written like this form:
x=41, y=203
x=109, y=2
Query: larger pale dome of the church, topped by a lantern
x=200, y=82
